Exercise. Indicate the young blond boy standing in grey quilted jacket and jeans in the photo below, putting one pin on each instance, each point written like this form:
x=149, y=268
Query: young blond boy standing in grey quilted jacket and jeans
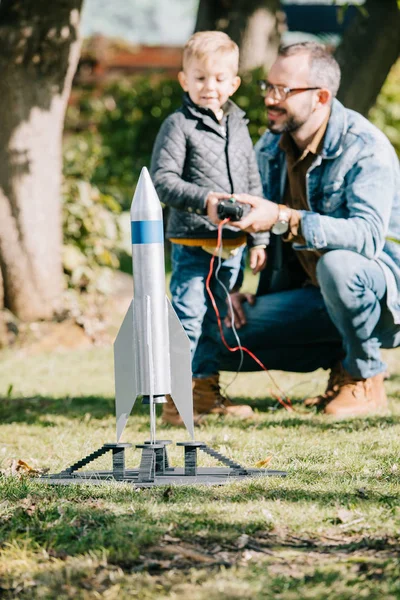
x=203, y=149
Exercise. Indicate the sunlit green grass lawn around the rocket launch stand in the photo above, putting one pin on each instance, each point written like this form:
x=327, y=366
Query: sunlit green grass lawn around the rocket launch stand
x=329, y=530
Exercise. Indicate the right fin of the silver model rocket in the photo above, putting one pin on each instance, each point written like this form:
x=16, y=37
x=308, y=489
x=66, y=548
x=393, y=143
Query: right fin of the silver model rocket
x=181, y=369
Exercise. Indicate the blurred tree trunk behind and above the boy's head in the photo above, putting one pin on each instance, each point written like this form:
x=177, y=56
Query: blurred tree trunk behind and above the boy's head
x=255, y=25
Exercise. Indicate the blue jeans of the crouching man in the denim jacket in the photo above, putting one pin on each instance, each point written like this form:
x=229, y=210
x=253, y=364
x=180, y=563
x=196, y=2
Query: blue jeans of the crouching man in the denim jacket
x=304, y=329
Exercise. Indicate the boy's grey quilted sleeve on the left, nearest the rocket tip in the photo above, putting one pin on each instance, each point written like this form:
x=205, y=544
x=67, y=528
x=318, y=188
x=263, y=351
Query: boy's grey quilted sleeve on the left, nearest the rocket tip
x=167, y=166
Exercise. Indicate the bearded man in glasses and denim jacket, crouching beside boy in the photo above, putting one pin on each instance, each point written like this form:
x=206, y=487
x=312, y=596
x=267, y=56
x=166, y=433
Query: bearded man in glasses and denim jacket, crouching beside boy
x=330, y=295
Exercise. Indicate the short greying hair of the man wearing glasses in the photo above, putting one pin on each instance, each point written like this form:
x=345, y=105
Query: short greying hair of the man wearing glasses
x=324, y=68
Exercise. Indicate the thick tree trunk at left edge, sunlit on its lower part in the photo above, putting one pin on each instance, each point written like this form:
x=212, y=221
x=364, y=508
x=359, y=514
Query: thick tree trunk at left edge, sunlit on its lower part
x=40, y=48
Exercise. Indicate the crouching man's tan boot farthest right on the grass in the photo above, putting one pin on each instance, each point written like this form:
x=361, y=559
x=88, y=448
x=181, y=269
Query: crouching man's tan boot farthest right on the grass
x=358, y=397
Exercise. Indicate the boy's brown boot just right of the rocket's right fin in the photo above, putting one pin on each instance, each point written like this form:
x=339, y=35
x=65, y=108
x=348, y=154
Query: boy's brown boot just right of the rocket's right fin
x=207, y=399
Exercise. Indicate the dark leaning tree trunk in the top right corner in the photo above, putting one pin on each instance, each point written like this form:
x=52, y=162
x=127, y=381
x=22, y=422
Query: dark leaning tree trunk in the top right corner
x=370, y=46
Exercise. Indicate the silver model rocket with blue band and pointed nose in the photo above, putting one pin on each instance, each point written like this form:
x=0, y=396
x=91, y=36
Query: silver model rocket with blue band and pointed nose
x=152, y=351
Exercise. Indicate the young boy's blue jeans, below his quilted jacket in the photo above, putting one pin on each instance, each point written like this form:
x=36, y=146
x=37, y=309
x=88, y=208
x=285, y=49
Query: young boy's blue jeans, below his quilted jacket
x=190, y=299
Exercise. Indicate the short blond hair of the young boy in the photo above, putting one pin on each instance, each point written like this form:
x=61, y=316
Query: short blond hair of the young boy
x=205, y=44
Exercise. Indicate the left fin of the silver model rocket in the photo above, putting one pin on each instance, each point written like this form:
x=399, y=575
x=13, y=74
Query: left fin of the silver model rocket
x=125, y=371
